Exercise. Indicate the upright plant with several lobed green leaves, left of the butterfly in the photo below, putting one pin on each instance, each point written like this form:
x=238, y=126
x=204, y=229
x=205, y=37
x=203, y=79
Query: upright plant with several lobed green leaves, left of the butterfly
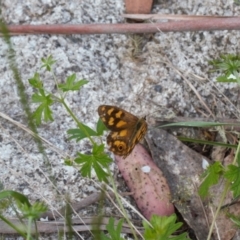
x=97, y=160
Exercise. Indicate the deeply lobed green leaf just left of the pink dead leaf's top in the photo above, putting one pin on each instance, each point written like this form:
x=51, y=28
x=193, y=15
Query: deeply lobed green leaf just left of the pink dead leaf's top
x=97, y=161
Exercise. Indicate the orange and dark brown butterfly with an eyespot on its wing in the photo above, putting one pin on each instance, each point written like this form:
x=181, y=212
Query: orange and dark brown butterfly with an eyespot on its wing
x=126, y=129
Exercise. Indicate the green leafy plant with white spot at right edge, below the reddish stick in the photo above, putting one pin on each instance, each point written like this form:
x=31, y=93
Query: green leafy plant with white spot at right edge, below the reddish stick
x=229, y=66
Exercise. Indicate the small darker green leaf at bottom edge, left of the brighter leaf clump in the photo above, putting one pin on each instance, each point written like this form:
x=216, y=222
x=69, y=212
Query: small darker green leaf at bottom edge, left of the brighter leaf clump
x=114, y=233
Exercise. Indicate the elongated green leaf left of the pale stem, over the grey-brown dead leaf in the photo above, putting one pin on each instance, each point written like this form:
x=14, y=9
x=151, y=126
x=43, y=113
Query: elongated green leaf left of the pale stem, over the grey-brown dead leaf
x=212, y=175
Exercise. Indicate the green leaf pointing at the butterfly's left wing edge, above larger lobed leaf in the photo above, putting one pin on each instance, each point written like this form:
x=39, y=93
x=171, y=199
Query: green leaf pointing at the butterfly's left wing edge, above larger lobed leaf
x=79, y=134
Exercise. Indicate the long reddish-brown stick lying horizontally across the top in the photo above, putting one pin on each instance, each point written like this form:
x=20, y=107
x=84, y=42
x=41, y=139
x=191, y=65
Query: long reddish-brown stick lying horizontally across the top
x=220, y=23
